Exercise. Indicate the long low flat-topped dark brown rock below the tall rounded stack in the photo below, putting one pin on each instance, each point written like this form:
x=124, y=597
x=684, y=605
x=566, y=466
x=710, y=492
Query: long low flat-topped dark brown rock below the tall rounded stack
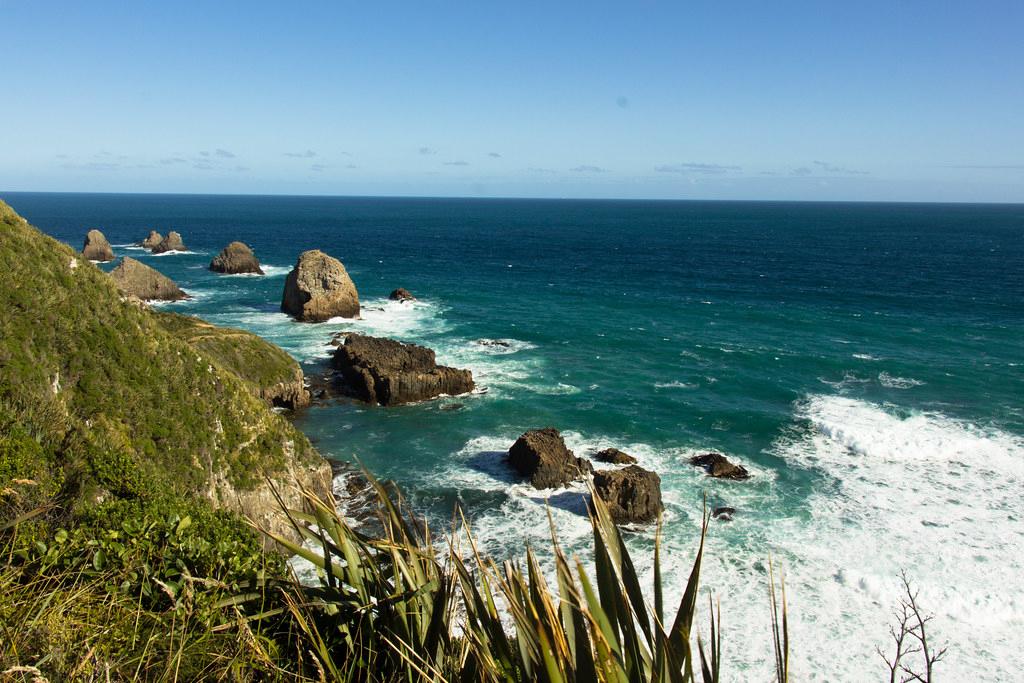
x=388, y=372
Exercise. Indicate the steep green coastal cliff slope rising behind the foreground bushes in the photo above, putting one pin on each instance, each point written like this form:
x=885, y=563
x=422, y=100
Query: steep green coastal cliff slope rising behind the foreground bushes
x=130, y=404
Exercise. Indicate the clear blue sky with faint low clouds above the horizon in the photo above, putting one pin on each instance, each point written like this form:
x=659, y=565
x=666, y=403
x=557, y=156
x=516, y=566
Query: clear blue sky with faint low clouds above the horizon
x=805, y=101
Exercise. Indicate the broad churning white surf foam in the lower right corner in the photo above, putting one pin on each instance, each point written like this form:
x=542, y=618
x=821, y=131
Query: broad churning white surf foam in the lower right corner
x=935, y=496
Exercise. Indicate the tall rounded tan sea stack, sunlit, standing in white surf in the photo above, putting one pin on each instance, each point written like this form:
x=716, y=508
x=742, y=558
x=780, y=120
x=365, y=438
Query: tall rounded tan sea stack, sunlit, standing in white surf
x=319, y=288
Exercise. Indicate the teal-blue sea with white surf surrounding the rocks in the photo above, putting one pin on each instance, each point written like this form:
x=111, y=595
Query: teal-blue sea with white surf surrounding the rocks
x=866, y=362
